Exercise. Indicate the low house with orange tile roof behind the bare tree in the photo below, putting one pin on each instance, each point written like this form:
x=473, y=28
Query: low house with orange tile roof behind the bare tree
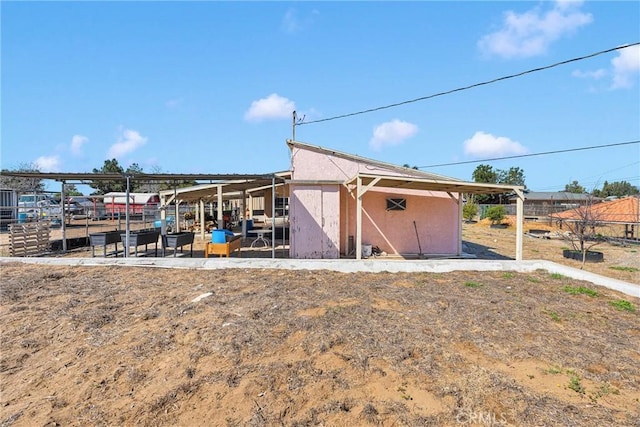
x=622, y=212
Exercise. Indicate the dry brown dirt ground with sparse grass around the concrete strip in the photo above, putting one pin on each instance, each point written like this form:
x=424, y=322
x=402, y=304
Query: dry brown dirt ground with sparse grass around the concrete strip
x=156, y=347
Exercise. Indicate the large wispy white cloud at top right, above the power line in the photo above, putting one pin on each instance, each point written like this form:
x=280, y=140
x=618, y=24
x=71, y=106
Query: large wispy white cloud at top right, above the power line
x=530, y=33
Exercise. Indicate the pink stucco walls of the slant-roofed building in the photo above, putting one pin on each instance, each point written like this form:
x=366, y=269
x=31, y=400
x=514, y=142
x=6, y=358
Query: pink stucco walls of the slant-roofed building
x=436, y=214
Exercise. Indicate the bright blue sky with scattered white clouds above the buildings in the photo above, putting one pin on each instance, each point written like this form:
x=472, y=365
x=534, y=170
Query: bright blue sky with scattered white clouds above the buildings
x=209, y=87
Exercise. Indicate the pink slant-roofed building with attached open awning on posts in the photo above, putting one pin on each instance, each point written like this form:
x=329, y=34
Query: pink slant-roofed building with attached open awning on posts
x=401, y=211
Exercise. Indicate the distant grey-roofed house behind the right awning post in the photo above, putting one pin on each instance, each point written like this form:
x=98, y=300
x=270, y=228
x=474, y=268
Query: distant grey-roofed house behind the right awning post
x=544, y=203
